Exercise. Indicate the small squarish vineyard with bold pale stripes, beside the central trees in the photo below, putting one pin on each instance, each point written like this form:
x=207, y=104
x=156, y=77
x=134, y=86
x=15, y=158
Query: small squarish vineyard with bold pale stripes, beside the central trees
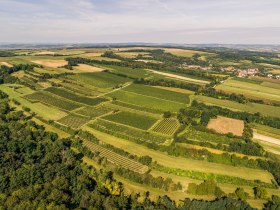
x=167, y=126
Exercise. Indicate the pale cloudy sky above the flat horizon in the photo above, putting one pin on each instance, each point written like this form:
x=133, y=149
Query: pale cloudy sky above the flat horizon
x=157, y=21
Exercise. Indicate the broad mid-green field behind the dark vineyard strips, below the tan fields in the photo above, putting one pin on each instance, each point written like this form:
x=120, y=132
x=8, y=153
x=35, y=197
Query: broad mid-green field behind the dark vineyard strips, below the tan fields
x=100, y=79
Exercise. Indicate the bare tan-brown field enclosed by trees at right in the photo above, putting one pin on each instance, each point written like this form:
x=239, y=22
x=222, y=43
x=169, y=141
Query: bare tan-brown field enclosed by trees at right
x=226, y=125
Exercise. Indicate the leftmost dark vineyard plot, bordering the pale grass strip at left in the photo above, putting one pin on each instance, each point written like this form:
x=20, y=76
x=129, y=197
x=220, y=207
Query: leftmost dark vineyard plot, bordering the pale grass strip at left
x=52, y=100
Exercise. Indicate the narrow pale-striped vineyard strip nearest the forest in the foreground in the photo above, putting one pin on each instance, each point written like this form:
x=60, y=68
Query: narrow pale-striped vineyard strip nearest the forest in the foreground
x=116, y=158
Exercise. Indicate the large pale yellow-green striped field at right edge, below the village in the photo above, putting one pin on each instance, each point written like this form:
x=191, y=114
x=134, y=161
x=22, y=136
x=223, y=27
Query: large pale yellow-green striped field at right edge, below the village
x=250, y=90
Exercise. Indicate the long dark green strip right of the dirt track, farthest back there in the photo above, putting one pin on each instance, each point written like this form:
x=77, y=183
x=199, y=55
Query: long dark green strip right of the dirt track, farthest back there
x=158, y=93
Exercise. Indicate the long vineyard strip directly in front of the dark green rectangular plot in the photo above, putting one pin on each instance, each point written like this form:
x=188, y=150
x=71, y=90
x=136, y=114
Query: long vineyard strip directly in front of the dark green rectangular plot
x=126, y=132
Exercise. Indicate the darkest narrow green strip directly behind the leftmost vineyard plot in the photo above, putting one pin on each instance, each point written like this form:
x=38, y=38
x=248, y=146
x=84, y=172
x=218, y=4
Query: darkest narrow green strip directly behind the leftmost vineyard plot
x=74, y=97
